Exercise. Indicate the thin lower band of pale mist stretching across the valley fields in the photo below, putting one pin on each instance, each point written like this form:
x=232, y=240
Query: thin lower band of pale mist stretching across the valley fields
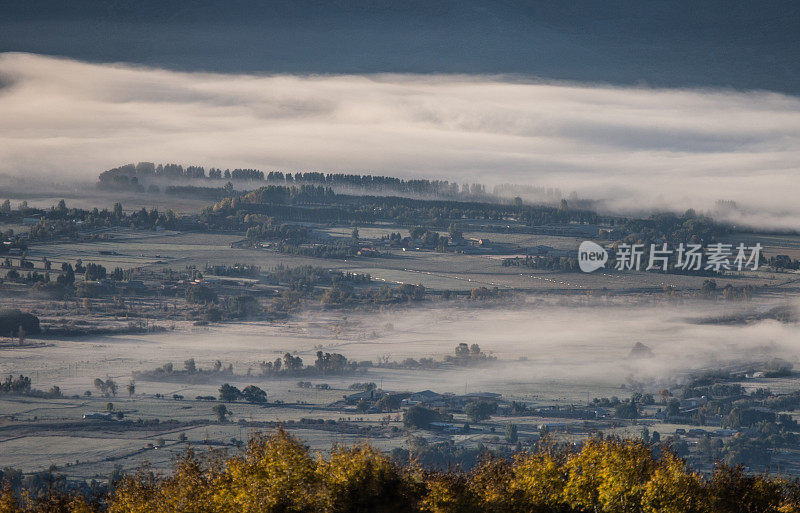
x=537, y=346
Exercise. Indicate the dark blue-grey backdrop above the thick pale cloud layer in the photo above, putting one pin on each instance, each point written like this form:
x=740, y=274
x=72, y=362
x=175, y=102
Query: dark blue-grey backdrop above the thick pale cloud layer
x=730, y=44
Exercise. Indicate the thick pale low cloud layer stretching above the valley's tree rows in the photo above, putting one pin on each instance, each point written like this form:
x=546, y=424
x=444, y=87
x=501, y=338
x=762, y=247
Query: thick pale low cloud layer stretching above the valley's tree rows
x=633, y=147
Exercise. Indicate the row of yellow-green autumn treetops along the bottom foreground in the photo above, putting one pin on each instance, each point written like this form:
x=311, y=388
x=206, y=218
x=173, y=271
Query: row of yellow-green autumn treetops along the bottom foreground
x=278, y=474
